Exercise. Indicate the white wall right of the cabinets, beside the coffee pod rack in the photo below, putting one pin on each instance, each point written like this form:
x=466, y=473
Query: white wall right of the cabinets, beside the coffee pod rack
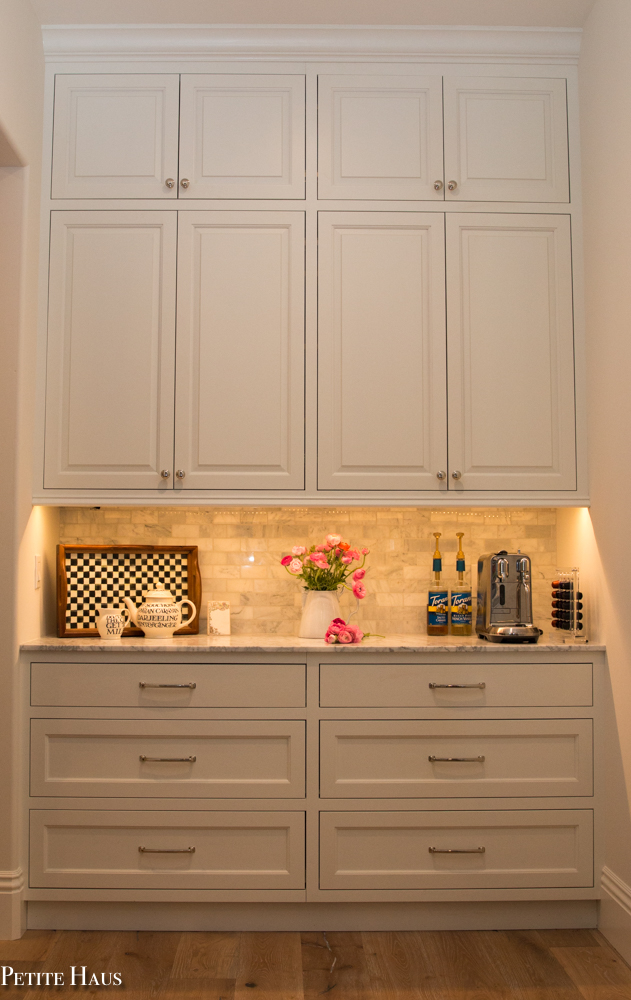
x=605, y=95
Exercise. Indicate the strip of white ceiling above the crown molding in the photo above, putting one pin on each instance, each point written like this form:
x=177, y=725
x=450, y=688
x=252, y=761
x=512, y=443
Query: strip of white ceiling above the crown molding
x=529, y=13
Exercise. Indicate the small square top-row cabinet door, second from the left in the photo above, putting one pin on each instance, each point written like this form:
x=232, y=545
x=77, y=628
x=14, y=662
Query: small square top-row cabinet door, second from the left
x=242, y=136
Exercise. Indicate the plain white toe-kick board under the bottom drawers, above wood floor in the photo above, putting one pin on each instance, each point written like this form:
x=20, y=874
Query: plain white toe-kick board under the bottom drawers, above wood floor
x=529, y=915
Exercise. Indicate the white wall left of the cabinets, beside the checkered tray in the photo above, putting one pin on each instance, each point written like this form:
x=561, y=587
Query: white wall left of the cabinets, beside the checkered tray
x=21, y=102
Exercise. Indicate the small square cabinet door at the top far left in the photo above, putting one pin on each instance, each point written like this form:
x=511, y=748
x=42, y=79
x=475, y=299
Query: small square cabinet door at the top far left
x=116, y=136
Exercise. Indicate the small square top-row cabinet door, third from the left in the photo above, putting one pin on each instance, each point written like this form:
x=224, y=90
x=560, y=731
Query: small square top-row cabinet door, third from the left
x=380, y=137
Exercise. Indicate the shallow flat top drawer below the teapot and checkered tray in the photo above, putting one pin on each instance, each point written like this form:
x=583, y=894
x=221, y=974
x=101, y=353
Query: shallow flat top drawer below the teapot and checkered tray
x=126, y=685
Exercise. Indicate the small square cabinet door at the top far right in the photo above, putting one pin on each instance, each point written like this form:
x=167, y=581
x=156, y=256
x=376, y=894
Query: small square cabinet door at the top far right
x=505, y=139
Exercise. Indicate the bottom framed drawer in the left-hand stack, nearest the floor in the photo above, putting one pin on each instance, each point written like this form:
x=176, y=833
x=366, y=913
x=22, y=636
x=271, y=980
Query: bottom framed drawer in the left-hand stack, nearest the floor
x=79, y=849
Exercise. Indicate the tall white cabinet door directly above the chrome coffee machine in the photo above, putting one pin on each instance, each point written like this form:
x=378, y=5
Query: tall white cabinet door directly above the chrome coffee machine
x=510, y=352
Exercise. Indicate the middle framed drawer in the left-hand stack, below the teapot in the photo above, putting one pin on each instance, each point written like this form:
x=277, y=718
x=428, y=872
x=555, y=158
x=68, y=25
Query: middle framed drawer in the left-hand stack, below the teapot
x=96, y=757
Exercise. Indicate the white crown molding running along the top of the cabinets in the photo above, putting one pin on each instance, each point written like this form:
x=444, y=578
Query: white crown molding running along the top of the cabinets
x=182, y=43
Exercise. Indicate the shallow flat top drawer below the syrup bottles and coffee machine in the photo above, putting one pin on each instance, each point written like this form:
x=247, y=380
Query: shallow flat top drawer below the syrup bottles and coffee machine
x=486, y=685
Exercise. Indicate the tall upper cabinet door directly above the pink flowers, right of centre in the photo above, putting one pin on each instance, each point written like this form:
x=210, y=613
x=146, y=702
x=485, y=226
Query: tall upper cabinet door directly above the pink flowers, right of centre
x=381, y=348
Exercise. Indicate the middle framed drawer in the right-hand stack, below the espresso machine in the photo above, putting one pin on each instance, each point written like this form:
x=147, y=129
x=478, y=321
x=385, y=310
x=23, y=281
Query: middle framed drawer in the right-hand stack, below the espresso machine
x=391, y=759
